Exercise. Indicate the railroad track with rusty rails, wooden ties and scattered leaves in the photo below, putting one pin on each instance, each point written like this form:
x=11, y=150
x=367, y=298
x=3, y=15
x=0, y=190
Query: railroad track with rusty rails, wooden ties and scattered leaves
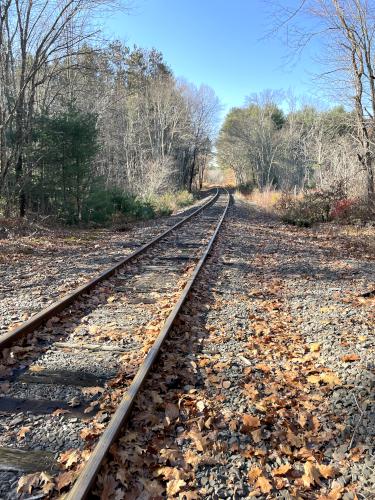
x=71, y=373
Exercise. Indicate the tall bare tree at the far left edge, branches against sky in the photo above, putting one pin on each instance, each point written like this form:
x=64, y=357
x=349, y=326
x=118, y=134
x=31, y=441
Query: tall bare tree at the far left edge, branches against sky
x=34, y=38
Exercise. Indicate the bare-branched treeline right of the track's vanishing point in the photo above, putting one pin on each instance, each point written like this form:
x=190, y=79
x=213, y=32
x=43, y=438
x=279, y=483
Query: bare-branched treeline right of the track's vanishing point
x=301, y=149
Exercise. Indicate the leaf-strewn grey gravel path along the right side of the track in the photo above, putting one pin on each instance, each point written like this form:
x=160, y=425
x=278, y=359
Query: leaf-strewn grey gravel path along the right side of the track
x=265, y=388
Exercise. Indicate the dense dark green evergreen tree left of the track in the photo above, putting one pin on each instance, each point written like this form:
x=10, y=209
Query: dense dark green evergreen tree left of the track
x=64, y=148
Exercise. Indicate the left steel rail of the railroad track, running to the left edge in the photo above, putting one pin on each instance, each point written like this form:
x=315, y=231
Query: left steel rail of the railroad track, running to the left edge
x=45, y=314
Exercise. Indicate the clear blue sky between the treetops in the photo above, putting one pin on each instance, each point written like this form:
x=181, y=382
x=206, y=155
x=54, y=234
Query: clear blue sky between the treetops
x=216, y=42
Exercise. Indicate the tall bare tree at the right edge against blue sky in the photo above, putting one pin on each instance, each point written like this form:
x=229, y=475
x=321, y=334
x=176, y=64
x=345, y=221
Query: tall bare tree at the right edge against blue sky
x=346, y=30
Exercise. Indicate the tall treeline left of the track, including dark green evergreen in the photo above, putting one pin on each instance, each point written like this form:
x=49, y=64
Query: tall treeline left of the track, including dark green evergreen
x=85, y=131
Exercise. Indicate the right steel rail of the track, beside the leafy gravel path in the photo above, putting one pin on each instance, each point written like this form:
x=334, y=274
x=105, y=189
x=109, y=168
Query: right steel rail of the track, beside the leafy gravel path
x=85, y=481
